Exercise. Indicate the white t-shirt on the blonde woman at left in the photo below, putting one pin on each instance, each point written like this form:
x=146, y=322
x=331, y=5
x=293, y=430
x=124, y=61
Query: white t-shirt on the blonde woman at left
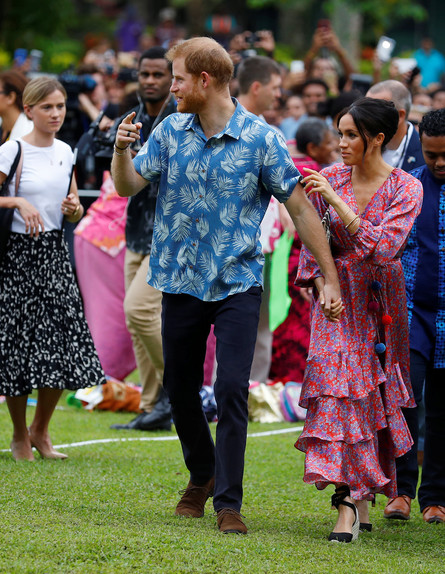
x=44, y=180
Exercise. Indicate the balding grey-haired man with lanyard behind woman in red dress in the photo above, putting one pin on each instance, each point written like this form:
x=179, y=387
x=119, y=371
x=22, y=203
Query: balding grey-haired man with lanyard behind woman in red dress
x=404, y=150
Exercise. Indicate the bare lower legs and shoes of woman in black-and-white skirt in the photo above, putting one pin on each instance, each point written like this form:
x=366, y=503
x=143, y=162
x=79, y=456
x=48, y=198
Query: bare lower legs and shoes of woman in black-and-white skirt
x=37, y=435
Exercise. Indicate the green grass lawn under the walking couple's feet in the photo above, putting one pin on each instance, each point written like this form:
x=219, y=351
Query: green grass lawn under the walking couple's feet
x=109, y=509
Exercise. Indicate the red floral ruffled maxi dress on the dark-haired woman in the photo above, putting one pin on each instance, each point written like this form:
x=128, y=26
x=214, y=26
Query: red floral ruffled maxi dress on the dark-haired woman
x=353, y=391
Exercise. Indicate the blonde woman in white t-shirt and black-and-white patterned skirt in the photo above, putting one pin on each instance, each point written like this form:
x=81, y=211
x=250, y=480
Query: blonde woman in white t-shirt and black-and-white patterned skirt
x=45, y=343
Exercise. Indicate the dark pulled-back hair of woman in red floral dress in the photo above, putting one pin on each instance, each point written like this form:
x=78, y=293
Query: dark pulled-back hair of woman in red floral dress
x=372, y=117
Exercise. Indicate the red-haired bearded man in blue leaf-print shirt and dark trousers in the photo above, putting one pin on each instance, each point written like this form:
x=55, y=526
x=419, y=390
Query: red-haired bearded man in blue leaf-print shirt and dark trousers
x=217, y=166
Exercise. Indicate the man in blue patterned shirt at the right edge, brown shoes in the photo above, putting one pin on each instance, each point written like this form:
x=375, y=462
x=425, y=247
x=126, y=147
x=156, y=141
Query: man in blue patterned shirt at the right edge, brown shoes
x=424, y=268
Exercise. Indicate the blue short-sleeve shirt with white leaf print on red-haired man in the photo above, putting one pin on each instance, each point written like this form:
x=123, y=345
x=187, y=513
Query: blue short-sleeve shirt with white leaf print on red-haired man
x=213, y=194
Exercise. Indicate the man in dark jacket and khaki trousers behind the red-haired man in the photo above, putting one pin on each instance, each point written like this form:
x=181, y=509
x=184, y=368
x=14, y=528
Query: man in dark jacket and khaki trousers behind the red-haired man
x=142, y=304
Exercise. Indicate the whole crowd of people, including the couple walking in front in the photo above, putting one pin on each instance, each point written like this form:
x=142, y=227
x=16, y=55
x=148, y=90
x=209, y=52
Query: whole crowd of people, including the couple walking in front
x=205, y=152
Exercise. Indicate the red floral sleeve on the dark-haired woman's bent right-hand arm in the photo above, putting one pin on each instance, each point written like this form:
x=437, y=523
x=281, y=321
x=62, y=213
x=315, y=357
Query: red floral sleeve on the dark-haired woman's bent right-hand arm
x=384, y=241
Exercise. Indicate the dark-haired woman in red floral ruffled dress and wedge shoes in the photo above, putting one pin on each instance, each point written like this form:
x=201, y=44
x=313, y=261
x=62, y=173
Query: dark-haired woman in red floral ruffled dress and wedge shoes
x=357, y=375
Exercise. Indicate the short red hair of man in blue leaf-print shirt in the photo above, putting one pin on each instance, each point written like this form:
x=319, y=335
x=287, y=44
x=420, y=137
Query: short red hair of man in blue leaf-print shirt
x=202, y=54
